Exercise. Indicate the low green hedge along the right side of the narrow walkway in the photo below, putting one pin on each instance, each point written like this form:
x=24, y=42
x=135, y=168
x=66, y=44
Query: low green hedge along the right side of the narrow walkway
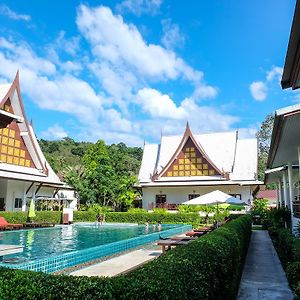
x=288, y=249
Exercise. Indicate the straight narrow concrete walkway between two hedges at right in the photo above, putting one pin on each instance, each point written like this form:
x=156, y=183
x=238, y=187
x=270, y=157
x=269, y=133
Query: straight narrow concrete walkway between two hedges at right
x=263, y=276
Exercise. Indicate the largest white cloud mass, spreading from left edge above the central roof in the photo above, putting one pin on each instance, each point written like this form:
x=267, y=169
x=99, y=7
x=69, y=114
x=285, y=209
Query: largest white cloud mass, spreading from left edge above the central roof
x=121, y=68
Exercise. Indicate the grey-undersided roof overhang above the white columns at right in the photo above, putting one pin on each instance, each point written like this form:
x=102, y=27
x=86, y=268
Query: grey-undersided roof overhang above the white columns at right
x=285, y=137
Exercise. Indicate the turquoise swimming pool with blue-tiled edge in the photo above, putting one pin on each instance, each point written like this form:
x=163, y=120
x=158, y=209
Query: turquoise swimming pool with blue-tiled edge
x=52, y=249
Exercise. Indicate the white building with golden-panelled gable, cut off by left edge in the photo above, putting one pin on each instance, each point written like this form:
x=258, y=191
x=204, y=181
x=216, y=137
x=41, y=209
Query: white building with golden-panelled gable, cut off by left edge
x=24, y=171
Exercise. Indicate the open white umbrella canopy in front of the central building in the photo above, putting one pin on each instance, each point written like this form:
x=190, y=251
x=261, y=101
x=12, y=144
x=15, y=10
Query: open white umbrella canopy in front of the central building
x=214, y=197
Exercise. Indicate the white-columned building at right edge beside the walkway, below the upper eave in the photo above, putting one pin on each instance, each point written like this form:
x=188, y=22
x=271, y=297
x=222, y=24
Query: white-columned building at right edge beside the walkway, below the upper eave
x=284, y=159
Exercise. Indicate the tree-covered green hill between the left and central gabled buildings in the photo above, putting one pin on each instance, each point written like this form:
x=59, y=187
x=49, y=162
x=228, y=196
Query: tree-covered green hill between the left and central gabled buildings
x=102, y=174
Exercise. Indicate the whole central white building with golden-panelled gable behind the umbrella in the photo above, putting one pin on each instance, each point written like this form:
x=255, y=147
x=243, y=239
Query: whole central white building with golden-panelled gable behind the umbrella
x=181, y=168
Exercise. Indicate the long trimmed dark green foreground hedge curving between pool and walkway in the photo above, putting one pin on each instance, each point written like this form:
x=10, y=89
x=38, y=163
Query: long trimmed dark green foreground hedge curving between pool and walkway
x=207, y=268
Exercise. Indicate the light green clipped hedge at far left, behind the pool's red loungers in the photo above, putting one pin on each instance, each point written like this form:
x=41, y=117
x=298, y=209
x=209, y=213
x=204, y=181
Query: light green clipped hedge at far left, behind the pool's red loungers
x=41, y=216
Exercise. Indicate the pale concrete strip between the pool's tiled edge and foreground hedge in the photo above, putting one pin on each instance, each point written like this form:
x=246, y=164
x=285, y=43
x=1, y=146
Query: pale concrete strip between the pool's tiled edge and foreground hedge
x=120, y=264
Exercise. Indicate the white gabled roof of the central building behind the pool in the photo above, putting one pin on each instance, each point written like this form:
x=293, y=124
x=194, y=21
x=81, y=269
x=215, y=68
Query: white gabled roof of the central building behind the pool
x=230, y=157
